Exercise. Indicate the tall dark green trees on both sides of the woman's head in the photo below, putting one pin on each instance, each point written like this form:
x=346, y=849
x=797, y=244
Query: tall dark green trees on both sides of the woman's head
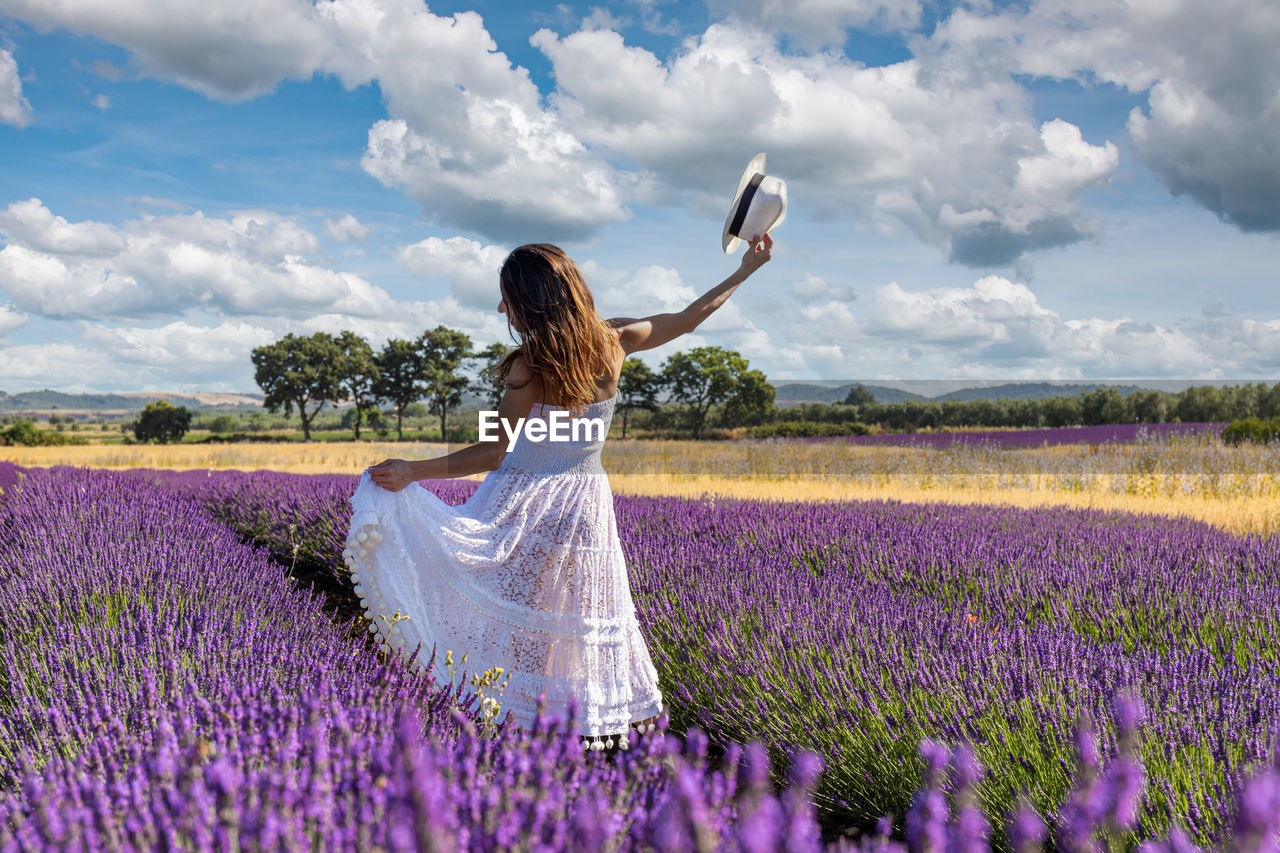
x=441, y=367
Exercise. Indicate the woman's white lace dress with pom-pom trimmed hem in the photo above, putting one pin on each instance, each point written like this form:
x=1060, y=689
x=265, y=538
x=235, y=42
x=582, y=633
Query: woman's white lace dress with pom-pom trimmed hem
x=529, y=576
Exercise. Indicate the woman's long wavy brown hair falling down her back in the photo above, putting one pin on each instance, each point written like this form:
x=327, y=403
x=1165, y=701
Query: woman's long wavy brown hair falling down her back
x=564, y=339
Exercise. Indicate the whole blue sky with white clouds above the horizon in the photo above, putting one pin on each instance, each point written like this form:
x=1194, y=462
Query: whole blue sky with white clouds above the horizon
x=988, y=190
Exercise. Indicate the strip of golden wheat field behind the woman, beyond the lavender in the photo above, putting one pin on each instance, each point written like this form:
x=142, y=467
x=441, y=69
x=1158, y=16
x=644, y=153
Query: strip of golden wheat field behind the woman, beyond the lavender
x=1236, y=489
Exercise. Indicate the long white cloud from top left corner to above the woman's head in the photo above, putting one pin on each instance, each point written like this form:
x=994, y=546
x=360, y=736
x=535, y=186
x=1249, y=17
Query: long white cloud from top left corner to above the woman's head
x=467, y=136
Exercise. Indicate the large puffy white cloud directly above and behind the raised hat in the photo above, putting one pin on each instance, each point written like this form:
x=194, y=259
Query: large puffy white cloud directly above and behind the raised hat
x=954, y=157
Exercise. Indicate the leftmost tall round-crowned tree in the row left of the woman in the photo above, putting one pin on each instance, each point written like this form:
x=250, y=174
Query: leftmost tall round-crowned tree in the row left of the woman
x=299, y=372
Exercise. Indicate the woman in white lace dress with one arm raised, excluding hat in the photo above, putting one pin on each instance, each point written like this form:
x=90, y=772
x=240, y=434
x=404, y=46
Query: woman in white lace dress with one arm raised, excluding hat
x=529, y=573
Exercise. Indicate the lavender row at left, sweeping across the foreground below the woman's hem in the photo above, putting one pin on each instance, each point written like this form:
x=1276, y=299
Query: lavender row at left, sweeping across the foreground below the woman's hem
x=164, y=686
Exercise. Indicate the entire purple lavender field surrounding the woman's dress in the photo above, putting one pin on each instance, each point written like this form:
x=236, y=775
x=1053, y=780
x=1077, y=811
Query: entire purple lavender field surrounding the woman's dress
x=182, y=665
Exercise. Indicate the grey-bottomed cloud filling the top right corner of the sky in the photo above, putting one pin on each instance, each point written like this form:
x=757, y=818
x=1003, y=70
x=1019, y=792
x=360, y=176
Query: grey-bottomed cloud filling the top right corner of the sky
x=1212, y=74
